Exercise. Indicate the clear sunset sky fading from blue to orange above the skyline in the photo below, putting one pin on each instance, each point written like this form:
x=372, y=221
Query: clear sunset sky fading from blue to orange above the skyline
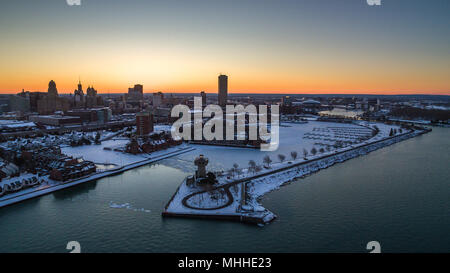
x=264, y=46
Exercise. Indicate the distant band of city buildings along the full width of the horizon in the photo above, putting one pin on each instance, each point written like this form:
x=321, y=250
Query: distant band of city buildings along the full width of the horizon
x=143, y=109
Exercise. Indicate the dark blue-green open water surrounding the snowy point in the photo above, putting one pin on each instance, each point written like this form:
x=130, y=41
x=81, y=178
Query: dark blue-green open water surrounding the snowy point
x=398, y=196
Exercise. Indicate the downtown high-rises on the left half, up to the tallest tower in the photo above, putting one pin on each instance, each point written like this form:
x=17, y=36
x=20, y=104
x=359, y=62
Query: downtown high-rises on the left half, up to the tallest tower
x=90, y=108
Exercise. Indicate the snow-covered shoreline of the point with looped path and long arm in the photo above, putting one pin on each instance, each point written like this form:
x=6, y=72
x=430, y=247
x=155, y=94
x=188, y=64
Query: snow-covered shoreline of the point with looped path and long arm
x=268, y=180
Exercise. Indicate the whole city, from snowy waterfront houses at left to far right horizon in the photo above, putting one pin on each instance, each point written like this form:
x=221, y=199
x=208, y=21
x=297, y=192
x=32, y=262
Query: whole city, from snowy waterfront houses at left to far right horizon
x=28, y=119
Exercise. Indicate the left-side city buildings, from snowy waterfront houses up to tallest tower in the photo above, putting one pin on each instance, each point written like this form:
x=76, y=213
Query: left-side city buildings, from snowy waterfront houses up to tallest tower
x=33, y=125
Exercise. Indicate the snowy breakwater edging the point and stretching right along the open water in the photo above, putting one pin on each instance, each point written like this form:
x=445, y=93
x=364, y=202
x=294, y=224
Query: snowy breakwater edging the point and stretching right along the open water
x=260, y=184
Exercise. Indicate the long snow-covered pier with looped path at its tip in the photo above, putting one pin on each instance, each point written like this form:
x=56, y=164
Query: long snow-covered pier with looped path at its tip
x=258, y=217
